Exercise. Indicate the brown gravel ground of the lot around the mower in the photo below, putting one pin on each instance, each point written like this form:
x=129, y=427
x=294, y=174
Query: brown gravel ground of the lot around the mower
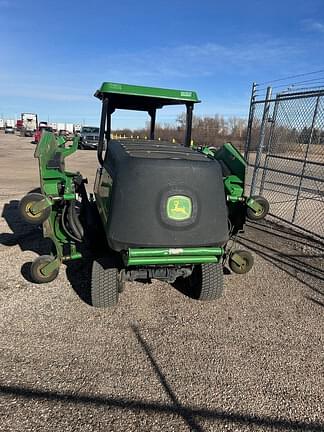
x=252, y=361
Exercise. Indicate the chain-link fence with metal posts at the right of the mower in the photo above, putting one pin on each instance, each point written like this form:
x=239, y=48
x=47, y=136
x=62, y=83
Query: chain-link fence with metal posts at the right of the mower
x=285, y=148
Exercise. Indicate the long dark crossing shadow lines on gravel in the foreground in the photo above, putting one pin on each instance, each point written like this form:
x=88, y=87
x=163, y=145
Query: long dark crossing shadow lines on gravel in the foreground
x=190, y=414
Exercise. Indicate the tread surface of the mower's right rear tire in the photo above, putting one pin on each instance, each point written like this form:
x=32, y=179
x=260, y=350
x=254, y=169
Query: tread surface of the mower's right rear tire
x=212, y=282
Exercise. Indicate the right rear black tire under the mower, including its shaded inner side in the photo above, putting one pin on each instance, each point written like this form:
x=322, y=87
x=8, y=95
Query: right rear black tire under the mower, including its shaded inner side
x=206, y=282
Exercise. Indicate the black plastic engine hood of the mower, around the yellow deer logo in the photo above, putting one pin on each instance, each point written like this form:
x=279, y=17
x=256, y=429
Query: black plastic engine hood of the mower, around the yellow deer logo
x=144, y=174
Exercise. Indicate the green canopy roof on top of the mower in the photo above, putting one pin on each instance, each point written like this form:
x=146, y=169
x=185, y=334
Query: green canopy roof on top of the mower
x=127, y=96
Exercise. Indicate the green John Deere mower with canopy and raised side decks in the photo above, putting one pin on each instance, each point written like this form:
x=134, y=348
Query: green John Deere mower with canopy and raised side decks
x=159, y=211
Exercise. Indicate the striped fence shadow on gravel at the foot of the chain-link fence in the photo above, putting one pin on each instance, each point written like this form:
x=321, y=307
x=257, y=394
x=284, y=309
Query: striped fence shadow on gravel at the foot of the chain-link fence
x=298, y=255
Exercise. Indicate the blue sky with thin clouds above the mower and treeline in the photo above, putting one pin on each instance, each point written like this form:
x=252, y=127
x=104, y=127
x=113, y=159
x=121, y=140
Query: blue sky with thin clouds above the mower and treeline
x=55, y=54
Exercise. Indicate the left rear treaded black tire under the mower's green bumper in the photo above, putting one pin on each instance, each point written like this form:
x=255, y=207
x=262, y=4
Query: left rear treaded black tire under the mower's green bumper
x=105, y=283
